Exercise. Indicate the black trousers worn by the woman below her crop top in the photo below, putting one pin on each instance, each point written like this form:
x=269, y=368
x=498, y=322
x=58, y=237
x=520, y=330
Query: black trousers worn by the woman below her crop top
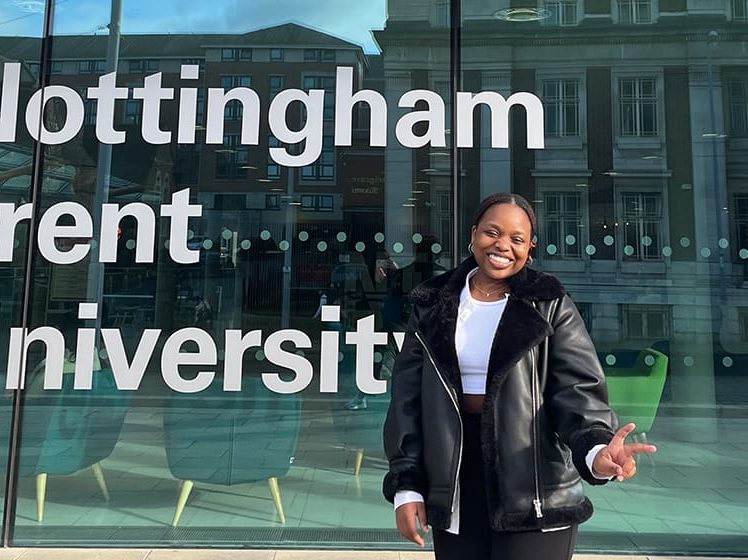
x=477, y=541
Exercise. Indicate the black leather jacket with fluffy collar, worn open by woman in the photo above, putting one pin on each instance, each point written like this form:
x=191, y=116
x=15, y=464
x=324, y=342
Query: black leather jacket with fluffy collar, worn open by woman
x=545, y=406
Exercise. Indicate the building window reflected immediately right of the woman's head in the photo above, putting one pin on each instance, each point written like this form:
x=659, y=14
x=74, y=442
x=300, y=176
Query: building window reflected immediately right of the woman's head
x=563, y=224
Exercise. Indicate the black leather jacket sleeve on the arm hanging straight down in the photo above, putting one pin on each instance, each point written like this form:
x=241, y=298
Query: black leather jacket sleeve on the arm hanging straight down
x=402, y=427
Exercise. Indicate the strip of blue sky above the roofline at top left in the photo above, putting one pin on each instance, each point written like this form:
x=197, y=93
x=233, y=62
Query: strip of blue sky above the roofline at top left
x=346, y=19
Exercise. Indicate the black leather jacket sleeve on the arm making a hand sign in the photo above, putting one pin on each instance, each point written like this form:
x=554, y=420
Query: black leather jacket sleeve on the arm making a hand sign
x=576, y=393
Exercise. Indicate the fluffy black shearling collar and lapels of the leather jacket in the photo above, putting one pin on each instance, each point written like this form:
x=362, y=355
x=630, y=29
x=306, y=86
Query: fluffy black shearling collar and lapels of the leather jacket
x=521, y=326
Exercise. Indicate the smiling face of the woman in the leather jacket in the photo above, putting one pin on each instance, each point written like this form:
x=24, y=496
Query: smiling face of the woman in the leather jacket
x=502, y=241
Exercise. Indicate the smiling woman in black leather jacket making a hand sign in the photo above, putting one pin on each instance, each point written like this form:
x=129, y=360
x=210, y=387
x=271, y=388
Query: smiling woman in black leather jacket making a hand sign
x=499, y=405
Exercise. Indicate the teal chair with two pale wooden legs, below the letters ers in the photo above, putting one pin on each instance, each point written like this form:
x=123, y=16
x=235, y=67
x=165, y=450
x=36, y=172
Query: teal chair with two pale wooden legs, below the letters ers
x=228, y=439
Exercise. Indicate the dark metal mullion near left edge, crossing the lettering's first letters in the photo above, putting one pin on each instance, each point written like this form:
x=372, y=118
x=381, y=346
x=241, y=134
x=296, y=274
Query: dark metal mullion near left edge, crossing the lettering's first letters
x=37, y=176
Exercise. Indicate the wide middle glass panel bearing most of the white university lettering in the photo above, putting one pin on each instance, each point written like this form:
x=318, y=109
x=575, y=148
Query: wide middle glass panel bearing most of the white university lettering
x=225, y=407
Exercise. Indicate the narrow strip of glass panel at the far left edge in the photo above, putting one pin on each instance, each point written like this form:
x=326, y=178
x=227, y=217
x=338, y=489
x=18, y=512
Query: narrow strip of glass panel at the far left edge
x=21, y=30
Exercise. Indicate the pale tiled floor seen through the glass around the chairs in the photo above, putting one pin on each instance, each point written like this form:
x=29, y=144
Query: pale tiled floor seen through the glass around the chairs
x=690, y=491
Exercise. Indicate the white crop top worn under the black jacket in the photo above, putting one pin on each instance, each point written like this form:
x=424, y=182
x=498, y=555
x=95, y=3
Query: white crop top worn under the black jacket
x=476, y=326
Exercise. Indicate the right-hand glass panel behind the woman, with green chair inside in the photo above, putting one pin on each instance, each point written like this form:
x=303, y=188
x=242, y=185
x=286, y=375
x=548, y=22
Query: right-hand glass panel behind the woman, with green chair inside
x=661, y=261
